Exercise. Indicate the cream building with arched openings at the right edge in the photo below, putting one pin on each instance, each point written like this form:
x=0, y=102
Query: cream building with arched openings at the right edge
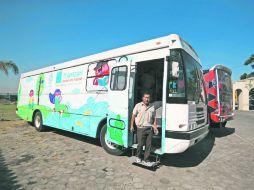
x=243, y=93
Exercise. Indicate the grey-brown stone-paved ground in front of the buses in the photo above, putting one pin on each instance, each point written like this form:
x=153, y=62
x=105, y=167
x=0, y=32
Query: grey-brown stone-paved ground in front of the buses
x=61, y=160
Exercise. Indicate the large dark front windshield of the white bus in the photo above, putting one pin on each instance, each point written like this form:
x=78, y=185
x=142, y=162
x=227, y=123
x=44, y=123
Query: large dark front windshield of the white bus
x=188, y=85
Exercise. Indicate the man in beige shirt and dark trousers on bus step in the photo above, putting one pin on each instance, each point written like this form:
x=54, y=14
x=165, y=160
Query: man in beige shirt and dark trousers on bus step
x=144, y=116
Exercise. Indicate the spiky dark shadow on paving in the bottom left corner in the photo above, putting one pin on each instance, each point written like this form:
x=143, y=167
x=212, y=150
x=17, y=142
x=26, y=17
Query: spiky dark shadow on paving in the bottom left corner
x=8, y=179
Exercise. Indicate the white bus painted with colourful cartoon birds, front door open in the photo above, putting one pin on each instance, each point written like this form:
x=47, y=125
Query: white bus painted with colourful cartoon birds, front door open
x=95, y=95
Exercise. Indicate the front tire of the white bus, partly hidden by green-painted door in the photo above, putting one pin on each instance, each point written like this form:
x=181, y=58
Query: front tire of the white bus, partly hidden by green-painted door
x=107, y=146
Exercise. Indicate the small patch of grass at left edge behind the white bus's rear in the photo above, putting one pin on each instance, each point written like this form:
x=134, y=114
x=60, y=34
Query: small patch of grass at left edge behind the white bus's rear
x=8, y=112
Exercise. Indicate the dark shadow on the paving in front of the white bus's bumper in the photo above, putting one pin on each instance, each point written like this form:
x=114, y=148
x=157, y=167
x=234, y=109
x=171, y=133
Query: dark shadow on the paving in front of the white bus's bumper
x=195, y=155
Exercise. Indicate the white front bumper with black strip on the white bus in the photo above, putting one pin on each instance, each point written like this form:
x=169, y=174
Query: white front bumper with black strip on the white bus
x=178, y=142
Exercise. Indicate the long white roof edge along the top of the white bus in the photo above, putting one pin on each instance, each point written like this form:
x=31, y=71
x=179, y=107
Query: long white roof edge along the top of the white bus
x=171, y=41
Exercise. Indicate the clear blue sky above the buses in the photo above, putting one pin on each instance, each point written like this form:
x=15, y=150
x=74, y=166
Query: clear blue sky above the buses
x=36, y=34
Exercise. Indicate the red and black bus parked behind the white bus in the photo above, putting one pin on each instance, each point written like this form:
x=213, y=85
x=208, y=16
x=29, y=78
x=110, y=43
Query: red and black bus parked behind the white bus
x=219, y=95
